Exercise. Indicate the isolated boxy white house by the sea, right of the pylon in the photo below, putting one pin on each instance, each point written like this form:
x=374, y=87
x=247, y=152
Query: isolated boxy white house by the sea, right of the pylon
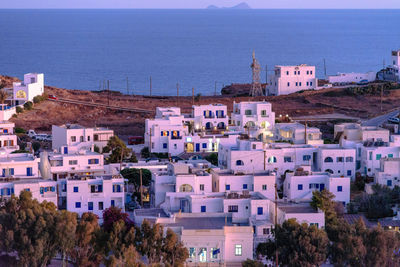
x=290, y=79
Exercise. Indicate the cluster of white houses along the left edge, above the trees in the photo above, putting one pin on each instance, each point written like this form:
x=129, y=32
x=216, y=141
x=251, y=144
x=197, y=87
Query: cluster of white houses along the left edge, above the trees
x=72, y=176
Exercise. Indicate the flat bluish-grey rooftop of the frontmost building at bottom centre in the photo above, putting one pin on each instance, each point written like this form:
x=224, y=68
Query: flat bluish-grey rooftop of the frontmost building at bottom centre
x=202, y=223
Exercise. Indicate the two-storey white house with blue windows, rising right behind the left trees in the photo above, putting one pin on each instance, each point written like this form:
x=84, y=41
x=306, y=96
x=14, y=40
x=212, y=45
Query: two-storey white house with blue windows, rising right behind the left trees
x=92, y=193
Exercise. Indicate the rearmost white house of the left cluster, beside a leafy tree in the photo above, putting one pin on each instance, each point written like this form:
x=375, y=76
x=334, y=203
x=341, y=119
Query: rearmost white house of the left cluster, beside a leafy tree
x=74, y=135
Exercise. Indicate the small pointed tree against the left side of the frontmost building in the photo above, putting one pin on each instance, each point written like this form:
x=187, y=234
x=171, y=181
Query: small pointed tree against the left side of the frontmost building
x=174, y=252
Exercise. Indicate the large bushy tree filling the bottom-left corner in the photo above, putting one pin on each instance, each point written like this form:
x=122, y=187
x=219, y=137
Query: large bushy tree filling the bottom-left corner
x=28, y=227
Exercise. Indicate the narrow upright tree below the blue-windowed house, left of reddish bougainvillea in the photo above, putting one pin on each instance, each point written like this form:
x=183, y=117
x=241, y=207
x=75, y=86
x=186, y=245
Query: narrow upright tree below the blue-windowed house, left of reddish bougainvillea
x=86, y=251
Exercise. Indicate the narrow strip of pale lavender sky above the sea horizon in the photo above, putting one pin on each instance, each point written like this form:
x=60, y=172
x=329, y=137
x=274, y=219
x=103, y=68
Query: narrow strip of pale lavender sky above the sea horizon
x=293, y=4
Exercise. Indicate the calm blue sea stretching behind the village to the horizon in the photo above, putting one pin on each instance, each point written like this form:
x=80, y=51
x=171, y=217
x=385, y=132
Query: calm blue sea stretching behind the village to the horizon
x=78, y=49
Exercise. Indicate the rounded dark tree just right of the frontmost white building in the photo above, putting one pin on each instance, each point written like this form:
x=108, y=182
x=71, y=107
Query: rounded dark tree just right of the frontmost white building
x=298, y=245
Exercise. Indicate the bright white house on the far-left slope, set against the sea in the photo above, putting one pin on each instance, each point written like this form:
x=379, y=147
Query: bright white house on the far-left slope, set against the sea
x=31, y=86
